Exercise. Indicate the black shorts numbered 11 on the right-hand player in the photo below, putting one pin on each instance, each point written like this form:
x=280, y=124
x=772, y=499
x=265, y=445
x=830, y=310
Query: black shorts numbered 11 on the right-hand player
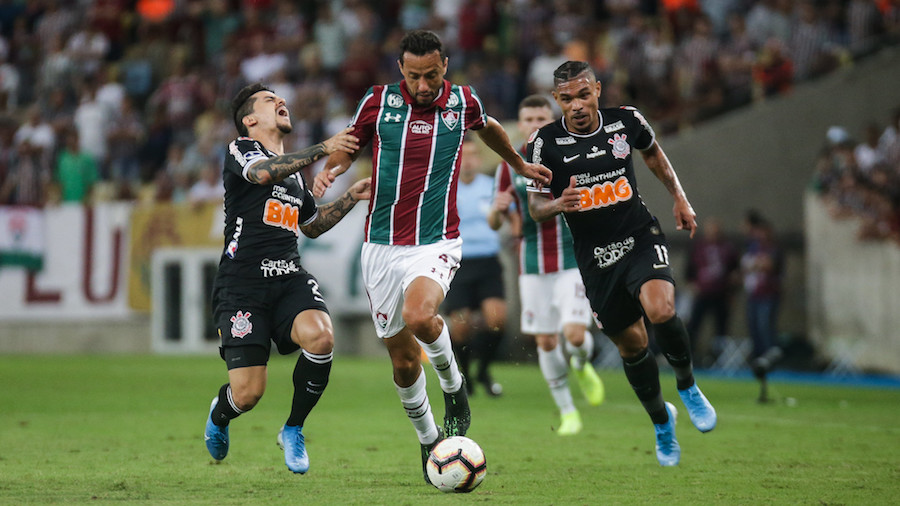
x=614, y=291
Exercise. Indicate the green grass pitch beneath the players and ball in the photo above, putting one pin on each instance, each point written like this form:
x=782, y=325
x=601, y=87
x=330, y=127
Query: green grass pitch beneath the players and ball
x=129, y=429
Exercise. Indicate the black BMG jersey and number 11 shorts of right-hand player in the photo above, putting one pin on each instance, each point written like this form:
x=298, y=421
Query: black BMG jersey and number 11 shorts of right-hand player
x=618, y=242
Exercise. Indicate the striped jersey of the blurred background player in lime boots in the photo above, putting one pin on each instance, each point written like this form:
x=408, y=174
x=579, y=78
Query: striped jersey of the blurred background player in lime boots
x=545, y=247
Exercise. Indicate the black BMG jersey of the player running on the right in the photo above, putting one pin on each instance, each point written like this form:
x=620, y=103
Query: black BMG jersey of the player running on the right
x=601, y=163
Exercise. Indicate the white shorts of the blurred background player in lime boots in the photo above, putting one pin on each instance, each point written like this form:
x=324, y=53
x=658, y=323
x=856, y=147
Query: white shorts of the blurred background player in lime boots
x=550, y=301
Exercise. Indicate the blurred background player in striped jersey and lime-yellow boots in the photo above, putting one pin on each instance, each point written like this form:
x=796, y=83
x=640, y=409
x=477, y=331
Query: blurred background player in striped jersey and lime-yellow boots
x=550, y=287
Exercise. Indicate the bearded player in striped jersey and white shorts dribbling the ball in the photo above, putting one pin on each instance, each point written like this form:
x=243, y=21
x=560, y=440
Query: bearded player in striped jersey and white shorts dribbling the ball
x=412, y=246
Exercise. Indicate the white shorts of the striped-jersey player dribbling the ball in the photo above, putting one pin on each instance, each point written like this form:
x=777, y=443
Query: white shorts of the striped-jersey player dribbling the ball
x=389, y=270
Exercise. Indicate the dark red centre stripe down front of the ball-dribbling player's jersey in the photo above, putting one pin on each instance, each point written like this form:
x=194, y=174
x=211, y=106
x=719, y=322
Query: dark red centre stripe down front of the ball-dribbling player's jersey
x=414, y=170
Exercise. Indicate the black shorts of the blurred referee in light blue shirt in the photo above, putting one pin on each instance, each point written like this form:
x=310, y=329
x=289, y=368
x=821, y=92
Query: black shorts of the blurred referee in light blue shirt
x=476, y=279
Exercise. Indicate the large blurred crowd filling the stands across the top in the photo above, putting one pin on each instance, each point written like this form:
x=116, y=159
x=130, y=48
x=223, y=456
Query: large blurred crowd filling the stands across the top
x=133, y=94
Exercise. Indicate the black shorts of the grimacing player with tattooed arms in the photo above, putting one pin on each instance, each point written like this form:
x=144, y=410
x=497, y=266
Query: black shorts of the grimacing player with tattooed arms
x=260, y=312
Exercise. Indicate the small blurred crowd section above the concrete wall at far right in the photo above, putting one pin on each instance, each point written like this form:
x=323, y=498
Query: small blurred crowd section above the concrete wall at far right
x=859, y=177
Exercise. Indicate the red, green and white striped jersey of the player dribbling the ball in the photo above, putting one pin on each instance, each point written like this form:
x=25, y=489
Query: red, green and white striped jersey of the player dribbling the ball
x=415, y=160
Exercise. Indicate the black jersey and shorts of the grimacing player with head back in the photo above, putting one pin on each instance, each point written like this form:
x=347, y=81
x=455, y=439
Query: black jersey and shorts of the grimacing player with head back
x=260, y=285
